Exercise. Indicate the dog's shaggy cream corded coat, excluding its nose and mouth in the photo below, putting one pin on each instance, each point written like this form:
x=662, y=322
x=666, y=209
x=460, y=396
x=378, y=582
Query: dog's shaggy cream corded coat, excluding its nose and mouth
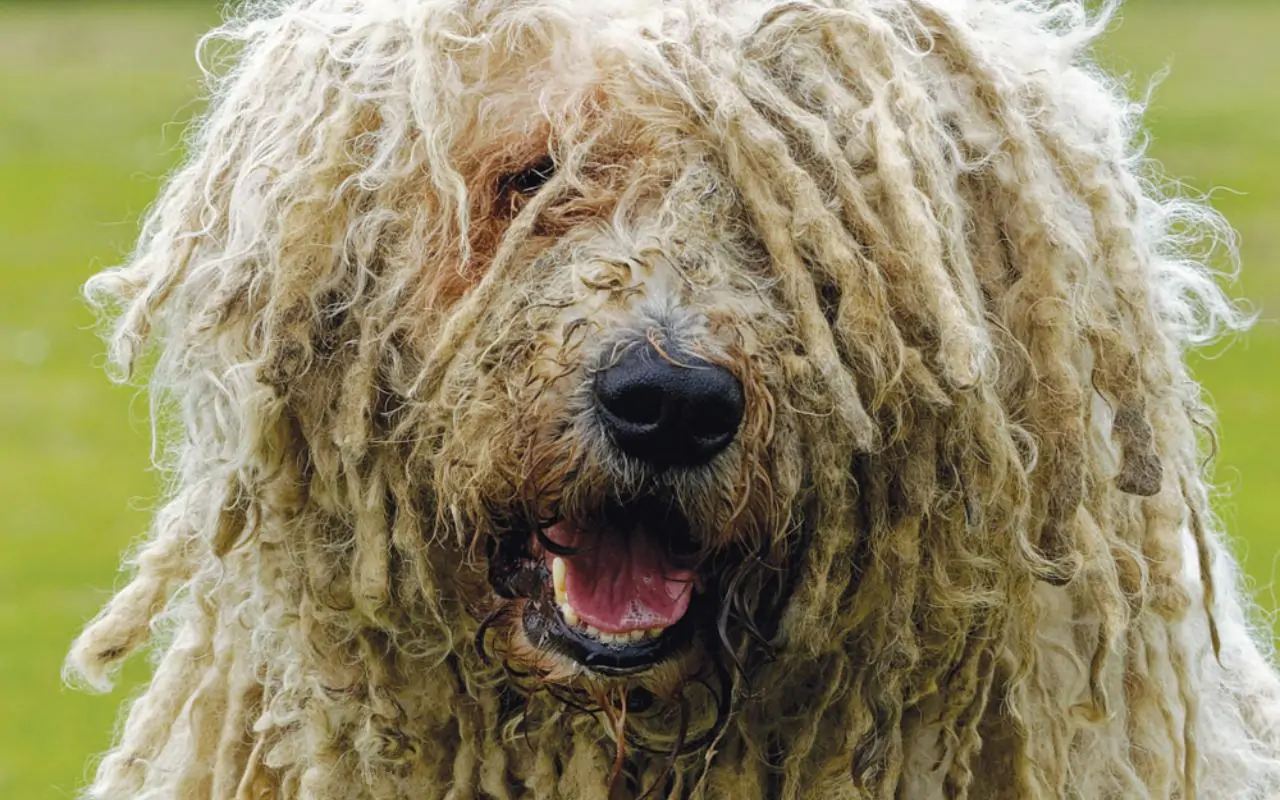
x=962, y=546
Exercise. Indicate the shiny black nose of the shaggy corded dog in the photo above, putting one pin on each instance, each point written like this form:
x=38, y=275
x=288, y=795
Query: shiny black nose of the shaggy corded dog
x=671, y=410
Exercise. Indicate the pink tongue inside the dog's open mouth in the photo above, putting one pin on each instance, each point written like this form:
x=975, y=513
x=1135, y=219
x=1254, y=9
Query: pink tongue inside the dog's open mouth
x=621, y=583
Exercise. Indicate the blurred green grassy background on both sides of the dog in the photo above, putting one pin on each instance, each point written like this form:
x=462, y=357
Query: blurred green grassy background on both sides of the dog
x=93, y=103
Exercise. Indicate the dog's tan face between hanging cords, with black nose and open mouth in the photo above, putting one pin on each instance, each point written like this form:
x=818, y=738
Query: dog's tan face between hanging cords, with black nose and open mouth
x=623, y=419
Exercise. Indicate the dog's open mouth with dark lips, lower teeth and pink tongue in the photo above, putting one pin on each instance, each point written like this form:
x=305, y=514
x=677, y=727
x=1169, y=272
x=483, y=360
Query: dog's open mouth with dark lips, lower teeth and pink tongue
x=618, y=593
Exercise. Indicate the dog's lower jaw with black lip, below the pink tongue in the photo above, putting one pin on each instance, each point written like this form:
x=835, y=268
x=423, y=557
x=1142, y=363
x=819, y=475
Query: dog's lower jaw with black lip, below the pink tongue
x=547, y=630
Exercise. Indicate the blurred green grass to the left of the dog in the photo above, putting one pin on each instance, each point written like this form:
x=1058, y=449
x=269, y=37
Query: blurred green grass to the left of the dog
x=88, y=95
